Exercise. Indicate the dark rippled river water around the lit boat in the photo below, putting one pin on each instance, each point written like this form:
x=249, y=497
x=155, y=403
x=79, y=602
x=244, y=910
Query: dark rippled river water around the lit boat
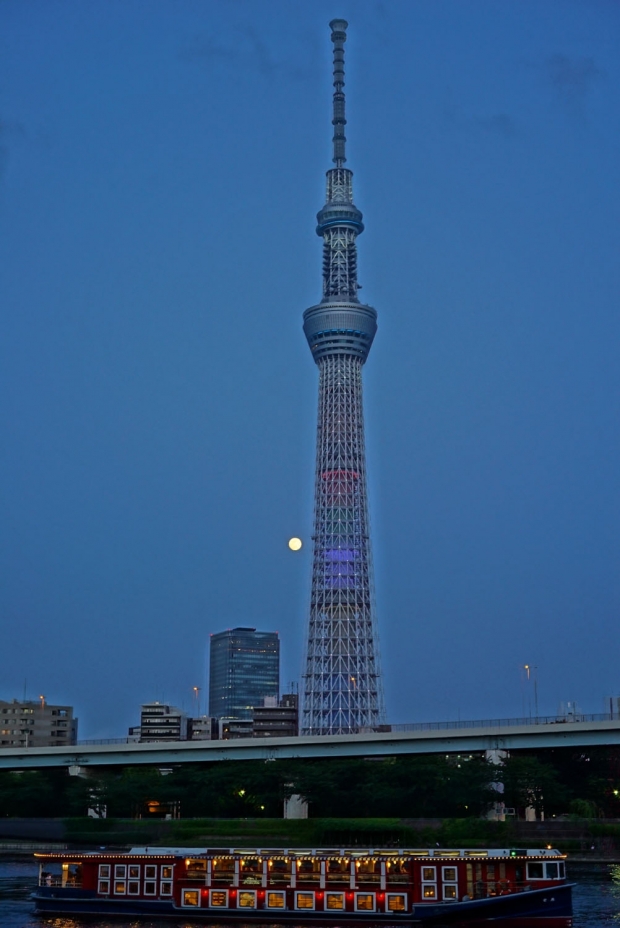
x=596, y=900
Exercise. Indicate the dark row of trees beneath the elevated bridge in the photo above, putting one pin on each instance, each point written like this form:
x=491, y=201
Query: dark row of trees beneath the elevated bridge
x=403, y=787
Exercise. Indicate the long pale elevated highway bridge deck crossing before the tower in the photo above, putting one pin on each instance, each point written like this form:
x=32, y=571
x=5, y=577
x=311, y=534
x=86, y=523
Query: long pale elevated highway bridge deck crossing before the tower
x=420, y=738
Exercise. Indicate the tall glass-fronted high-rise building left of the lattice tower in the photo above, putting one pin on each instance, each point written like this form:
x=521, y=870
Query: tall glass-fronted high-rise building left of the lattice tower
x=244, y=667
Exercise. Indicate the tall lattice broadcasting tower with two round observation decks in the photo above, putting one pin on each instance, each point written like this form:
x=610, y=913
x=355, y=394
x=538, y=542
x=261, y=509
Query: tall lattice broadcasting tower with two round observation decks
x=342, y=689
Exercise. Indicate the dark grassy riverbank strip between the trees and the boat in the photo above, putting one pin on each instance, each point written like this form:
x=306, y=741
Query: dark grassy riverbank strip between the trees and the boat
x=585, y=840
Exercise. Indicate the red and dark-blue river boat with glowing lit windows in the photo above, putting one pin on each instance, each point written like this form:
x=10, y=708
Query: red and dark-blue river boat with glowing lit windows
x=320, y=886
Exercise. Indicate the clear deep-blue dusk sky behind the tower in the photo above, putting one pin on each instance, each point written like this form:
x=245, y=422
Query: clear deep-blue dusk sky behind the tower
x=161, y=166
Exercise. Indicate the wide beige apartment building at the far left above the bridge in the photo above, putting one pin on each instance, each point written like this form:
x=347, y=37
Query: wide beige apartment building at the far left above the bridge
x=31, y=724
